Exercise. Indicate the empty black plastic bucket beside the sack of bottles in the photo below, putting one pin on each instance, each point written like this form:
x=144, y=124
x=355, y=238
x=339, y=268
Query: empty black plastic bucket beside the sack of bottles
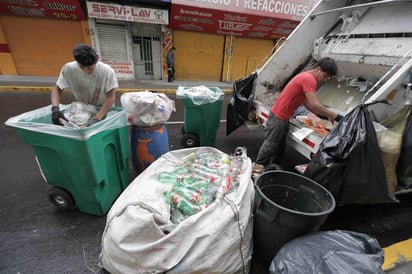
x=287, y=205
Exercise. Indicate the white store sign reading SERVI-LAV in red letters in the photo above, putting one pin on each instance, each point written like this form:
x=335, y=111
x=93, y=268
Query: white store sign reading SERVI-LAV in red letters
x=127, y=13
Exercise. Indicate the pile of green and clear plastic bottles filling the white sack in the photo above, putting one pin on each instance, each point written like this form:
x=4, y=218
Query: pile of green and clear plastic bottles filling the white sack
x=199, y=179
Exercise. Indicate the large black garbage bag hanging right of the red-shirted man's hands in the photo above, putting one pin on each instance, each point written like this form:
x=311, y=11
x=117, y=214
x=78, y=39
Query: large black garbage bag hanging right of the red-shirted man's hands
x=348, y=162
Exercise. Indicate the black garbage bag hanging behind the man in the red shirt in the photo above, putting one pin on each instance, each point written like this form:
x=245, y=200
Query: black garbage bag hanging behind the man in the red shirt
x=241, y=103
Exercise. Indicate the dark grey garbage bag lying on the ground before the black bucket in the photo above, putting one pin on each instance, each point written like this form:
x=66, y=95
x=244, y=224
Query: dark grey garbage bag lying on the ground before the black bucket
x=337, y=251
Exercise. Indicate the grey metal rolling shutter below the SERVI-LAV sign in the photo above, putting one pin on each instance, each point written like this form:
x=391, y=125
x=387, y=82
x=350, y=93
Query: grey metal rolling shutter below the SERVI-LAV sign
x=112, y=40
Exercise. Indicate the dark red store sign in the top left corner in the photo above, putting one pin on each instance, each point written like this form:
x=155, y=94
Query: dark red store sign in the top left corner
x=59, y=9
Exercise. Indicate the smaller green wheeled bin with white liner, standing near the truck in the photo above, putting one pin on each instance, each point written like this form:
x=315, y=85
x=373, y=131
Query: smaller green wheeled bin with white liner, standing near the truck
x=202, y=107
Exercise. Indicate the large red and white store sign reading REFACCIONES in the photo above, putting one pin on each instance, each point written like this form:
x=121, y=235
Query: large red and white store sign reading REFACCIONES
x=252, y=18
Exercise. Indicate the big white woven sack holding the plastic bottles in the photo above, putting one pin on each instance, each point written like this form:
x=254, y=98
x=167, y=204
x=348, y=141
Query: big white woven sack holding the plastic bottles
x=140, y=238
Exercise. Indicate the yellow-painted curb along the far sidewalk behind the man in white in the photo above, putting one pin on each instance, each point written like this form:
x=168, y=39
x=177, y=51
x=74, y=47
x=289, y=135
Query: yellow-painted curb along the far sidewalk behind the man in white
x=170, y=91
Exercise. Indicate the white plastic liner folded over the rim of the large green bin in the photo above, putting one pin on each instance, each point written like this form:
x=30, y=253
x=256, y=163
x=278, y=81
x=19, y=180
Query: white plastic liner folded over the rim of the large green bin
x=39, y=120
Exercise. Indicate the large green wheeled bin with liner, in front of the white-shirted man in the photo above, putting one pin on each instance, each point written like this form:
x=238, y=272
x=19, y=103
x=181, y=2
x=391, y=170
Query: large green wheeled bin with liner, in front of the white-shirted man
x=85, y=168
